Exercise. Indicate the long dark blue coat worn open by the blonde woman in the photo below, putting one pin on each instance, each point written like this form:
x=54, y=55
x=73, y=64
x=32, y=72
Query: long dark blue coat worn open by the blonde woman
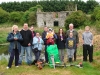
x=10, y=38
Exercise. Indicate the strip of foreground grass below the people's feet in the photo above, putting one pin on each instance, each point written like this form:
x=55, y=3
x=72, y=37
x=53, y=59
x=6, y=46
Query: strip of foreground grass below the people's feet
x=88, y=69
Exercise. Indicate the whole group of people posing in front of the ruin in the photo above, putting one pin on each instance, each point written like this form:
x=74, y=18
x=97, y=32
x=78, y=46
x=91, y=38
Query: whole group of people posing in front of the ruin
x=27, y=41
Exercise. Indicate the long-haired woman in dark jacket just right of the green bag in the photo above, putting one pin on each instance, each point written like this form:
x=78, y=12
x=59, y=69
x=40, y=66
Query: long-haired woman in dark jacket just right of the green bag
x=61, y=43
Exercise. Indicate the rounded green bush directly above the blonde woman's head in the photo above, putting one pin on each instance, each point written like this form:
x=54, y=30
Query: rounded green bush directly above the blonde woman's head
x=15, y=17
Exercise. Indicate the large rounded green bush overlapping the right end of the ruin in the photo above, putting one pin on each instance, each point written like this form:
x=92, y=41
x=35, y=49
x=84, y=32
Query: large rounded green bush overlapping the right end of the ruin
x=78, y=18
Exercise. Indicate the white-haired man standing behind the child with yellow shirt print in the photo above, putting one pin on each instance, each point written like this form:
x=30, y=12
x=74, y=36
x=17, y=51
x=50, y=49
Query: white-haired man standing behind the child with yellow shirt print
x=75, y=35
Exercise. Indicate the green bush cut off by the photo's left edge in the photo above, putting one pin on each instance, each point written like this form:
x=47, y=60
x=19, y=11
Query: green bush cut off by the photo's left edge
x=4, y=16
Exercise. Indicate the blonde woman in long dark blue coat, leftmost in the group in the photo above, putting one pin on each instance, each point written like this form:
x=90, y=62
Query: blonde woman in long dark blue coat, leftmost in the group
x=14, y=38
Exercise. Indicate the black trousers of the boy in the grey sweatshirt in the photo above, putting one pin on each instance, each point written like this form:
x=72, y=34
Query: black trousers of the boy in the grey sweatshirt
x=88, y=50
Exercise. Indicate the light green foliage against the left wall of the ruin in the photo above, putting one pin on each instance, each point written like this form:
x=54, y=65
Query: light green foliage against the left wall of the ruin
x=30, y=15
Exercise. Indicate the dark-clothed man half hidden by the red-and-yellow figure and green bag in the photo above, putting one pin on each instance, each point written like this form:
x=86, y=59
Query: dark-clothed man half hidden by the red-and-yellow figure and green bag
x=44, y=39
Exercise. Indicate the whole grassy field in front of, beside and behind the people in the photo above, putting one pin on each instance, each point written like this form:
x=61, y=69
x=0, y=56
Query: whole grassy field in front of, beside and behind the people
x=88, y=68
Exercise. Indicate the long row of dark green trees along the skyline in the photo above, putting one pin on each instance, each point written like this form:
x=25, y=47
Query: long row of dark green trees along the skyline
x=50, y=5
